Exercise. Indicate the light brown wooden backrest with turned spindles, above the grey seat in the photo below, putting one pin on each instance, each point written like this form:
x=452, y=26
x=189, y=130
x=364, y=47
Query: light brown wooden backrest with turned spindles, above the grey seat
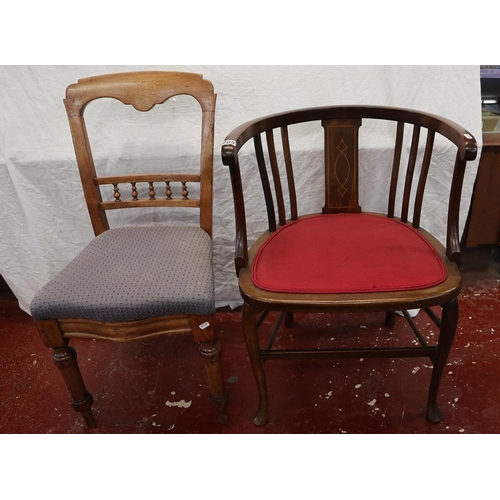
x=143, y=90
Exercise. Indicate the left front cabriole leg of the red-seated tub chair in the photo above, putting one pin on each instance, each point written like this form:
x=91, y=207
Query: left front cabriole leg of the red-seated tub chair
x=253, y=347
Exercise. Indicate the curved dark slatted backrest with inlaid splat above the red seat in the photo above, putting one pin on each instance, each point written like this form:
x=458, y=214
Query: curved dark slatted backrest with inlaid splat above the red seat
x=341, y=124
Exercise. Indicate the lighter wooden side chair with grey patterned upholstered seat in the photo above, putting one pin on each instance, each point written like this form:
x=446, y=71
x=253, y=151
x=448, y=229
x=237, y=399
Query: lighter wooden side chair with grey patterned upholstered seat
x=137, y=282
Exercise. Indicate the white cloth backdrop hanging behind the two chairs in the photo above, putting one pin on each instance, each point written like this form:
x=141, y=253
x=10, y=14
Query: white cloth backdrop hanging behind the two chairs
x=44, y=222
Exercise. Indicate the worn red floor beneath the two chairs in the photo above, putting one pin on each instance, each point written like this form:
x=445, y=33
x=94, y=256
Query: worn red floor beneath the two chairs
x=158, y=386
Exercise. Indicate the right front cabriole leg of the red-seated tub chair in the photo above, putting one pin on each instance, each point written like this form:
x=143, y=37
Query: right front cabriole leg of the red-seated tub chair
x=449, y=323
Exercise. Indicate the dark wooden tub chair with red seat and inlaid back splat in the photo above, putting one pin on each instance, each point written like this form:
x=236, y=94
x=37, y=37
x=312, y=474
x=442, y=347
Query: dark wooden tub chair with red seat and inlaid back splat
x=341, y=259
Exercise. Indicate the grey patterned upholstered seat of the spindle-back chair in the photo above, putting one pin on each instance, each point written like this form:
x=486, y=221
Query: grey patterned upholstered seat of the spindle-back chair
x=133, y=273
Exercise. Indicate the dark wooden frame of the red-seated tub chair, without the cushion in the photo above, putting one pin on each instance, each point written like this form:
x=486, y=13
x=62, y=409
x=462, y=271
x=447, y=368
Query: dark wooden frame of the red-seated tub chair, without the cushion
x=341, y=126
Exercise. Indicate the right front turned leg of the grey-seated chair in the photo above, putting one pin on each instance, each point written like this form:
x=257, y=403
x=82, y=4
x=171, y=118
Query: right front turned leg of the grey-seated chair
x=210, y=351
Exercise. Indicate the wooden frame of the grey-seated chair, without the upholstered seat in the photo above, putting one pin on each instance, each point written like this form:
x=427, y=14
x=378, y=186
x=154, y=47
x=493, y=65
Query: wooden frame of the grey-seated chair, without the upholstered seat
x=142, y=90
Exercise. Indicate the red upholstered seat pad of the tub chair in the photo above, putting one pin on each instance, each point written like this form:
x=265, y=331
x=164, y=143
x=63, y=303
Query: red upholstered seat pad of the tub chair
x=346, y=253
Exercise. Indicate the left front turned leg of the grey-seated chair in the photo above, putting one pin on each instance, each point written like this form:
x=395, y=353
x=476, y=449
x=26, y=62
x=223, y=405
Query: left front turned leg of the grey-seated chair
x=81, y=400
